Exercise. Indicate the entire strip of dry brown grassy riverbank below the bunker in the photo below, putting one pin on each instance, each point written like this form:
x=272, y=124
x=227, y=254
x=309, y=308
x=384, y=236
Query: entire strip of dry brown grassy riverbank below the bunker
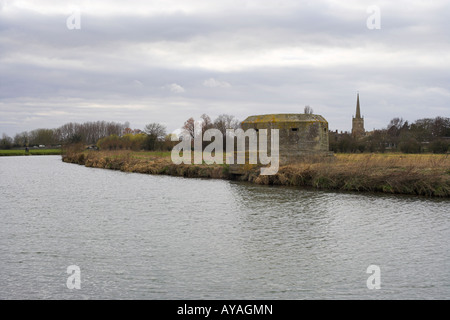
x=424, y=174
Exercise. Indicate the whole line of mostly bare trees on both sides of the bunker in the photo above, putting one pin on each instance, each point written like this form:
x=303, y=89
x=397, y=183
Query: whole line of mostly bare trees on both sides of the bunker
x=423, y=135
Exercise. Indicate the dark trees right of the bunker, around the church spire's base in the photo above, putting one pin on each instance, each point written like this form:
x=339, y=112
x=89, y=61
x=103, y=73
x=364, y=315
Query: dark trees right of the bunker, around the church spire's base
x=423, y=135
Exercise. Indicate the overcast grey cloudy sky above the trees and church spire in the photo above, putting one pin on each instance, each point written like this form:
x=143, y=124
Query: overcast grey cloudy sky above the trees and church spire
x=165, y=61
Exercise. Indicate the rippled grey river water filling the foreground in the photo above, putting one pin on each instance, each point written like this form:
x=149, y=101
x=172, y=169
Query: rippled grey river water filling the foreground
x=136, y=236
